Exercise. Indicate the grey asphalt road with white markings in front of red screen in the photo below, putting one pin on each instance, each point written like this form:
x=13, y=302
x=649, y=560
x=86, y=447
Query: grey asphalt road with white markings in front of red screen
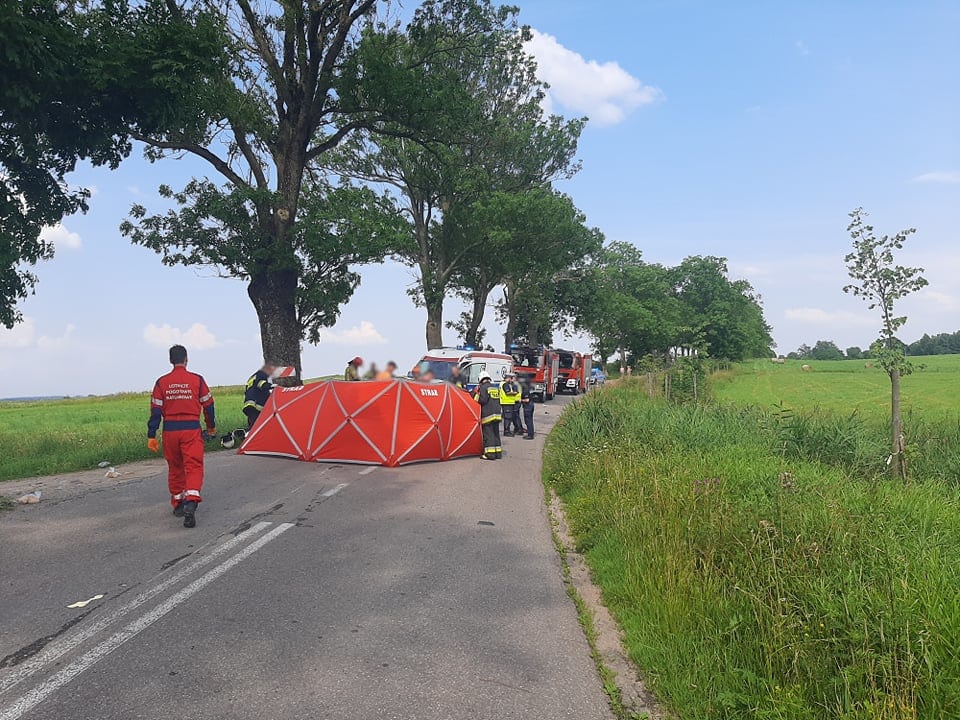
x=306, y=591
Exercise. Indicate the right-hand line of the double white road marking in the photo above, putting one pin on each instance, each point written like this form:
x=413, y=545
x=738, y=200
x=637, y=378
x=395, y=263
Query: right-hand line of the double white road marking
x=42, y=691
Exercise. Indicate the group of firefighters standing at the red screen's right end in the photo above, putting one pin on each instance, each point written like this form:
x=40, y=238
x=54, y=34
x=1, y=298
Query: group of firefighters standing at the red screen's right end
x=504, y=402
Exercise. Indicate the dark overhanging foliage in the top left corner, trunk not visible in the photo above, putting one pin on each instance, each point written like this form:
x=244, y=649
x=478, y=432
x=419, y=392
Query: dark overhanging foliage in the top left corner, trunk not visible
x=75, y=79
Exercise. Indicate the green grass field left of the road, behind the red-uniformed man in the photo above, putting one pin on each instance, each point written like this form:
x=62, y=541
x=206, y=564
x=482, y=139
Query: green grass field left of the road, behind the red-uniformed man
x=55, y=436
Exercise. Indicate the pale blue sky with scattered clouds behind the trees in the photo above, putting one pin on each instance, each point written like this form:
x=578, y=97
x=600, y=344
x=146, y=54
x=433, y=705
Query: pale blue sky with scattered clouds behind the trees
x=745, y=129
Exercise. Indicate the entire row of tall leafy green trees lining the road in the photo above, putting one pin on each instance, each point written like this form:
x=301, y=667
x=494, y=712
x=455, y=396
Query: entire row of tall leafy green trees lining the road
x=337, y=137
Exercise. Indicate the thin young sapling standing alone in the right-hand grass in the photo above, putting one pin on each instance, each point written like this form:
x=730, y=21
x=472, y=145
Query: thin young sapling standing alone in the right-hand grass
x=879, y=281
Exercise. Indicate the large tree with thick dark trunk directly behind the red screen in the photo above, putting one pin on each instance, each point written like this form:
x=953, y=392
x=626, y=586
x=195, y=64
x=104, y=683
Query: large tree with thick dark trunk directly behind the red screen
x=305, y=75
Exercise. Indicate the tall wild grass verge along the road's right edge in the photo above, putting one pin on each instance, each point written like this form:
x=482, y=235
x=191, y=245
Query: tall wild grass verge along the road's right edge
x=750, y=582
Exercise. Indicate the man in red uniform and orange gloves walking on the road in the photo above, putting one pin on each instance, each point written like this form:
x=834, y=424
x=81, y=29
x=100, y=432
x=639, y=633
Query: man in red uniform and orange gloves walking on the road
x=178, y=399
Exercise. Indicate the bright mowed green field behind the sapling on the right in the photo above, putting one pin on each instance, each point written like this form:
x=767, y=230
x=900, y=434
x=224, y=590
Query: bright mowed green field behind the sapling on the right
x=933, y=390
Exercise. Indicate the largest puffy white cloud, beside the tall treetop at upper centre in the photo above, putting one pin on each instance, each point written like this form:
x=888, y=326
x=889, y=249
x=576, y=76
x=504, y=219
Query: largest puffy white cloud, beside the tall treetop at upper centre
x=604, y=91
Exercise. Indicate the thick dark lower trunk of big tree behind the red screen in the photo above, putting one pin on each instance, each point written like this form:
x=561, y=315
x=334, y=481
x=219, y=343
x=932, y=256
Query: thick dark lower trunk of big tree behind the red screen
x=273, y=294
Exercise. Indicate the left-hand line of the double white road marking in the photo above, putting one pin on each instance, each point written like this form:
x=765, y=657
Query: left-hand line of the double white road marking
x=56, y=650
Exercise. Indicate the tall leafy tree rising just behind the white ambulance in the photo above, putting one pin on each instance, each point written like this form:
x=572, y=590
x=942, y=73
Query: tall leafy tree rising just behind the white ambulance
x=490, y=140
